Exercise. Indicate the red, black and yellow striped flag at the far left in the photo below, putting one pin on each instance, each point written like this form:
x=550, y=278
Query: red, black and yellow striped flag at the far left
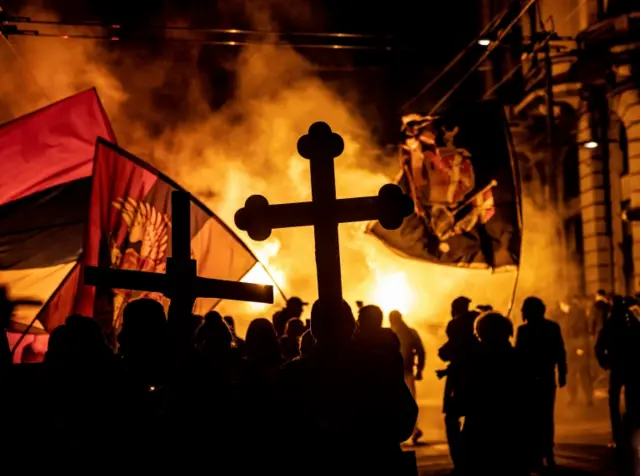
x=46, y=160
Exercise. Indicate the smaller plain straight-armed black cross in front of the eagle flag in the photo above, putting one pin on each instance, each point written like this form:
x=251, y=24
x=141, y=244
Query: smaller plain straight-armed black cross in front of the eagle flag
x=181, y=282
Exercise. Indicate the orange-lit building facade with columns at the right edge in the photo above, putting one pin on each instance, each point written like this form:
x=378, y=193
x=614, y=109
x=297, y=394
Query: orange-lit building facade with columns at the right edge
x=584, y=158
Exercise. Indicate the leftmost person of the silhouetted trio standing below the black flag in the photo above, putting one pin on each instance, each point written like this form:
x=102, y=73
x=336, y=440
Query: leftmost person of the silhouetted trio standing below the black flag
x=459, y=351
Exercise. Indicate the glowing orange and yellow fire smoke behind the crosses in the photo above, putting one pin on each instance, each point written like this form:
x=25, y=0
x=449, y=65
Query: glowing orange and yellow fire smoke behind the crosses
x=249, y=147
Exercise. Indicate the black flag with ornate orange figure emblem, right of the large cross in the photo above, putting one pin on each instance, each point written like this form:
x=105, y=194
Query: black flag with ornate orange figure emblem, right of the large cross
x=460, y=170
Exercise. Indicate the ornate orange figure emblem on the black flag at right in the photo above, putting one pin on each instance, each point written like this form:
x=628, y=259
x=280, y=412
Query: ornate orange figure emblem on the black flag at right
x=442, y=181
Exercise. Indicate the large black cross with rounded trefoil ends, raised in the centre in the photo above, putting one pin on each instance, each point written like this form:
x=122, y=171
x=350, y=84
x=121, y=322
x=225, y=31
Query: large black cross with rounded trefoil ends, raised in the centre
x=321, y=146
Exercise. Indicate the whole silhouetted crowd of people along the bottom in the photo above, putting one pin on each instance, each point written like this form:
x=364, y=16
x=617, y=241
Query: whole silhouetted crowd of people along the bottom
x=335, y=395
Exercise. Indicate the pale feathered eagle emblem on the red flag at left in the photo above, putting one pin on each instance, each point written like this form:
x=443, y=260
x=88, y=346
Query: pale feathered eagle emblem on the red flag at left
x=143, y=246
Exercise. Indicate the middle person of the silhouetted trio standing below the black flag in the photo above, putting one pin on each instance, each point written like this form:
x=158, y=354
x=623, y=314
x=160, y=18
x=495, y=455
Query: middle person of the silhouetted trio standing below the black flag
x=492, y=430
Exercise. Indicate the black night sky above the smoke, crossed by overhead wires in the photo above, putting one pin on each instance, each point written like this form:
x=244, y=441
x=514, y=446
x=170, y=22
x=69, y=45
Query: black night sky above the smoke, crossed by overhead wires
x=426, y=35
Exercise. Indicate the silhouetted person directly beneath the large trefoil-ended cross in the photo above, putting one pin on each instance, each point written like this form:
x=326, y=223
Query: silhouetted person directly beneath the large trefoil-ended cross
x=348, y=410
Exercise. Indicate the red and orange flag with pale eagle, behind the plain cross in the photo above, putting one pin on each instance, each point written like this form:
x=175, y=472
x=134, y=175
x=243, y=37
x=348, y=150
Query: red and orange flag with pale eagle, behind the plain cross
x=129, y=227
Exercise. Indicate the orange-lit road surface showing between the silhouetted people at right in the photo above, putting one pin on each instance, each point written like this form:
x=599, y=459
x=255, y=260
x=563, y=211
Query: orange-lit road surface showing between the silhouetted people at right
x=582, y=436
